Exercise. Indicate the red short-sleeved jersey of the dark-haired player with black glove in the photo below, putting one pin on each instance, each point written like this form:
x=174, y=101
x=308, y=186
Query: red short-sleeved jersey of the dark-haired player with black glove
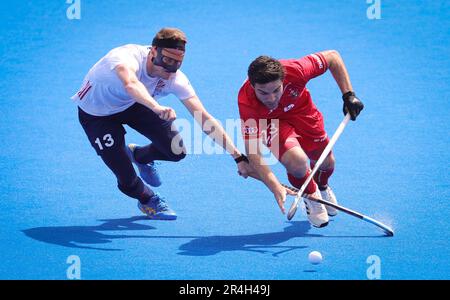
x=295, y=106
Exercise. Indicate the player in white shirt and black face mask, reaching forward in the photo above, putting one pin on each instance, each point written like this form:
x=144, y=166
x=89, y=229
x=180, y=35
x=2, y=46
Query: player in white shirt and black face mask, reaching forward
x=122, y=88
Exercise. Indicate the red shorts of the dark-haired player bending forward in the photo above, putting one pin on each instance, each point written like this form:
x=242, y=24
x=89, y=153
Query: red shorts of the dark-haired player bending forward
x=290, y=136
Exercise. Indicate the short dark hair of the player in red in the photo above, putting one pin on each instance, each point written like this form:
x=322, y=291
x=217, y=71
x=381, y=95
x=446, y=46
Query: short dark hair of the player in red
x=265, y=69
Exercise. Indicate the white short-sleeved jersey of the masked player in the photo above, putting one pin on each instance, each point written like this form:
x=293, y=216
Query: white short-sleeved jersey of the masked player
x=103, y=93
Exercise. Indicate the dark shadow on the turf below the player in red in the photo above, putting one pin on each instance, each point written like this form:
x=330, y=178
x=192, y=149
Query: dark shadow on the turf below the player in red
x=260, y=243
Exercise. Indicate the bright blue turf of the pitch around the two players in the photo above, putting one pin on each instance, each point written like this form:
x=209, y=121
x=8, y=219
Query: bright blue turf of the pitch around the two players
x=57, y=198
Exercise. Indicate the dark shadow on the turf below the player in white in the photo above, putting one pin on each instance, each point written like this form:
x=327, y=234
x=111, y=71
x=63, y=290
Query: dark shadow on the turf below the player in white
x=86, y=236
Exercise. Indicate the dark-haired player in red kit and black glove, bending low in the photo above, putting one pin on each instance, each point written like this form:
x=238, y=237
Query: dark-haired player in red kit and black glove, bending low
x=276, y=109
